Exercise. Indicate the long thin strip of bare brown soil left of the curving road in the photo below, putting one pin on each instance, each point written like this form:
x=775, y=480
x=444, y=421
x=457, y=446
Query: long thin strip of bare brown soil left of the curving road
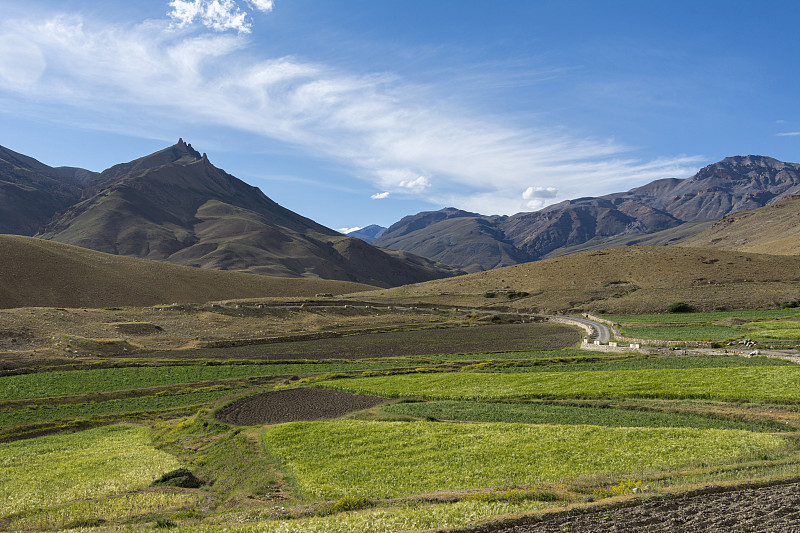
x=476, y=339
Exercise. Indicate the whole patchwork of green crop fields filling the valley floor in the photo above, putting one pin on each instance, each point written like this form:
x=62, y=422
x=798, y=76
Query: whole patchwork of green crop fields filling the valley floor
x=463, y=425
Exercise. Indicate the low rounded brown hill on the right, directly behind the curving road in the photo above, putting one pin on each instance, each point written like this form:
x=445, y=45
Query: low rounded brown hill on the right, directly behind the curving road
x=634, y=279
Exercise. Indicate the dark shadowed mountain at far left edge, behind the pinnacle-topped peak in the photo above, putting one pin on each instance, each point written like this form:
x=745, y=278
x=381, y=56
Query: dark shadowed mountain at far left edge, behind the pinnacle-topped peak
x=31, y=193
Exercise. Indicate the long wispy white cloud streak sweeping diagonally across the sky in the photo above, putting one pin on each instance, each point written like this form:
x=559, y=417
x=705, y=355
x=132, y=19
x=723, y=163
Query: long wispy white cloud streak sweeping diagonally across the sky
x=380, y=127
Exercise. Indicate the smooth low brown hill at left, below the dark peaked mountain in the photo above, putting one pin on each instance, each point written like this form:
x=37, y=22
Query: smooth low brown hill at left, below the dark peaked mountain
x=39, y=273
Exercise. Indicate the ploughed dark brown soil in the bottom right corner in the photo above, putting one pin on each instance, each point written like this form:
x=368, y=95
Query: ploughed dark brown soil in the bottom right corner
x=774, y=508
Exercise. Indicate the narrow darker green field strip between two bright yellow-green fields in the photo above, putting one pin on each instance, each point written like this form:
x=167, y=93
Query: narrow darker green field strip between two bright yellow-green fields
x=541, y=413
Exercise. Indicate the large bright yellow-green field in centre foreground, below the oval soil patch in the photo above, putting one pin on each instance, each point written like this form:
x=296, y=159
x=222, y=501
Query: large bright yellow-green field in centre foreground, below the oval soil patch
x=392, y=459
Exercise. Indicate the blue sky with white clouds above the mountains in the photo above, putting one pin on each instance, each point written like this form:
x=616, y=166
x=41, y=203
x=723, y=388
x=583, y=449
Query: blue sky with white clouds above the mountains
x=355, y=112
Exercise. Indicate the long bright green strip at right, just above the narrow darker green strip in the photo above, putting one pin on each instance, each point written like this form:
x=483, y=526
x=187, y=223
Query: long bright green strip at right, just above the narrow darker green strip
x=736, y=383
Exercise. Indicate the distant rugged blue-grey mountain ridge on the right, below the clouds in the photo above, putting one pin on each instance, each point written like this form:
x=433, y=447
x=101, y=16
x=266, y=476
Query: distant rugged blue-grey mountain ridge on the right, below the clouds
x=477, y=242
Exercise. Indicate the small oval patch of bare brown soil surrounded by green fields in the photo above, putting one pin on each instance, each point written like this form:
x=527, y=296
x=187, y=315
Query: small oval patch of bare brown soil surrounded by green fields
x=295, y=405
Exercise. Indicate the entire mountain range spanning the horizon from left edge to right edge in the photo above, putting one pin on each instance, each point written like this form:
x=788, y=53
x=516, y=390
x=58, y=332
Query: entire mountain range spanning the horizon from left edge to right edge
x=175, y=206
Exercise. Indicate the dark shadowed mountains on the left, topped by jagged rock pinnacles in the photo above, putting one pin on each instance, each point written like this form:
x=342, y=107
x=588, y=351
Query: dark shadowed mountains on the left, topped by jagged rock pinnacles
x=175, y=206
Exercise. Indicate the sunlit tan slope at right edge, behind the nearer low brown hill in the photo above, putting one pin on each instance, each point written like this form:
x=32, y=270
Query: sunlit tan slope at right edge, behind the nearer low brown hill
x=773, y=229
